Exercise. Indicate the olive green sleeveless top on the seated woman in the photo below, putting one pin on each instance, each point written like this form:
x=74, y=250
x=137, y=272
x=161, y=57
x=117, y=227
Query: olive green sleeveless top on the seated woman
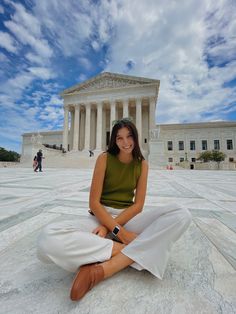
x=120, y=182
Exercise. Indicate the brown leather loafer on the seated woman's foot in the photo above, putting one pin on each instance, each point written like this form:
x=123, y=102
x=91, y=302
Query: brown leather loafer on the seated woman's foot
x=87, y=277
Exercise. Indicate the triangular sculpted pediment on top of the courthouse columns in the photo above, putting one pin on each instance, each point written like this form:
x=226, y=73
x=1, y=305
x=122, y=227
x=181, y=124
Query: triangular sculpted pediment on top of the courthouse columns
x=108, y=80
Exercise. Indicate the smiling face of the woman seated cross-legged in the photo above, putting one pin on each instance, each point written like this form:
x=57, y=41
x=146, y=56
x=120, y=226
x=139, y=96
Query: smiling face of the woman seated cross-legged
x=125, y=141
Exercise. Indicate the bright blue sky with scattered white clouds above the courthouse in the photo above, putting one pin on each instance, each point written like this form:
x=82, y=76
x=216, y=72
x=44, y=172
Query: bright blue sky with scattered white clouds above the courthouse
x=49, y=45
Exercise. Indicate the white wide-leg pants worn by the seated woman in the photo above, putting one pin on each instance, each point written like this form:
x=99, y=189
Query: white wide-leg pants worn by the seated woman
x=71, y=244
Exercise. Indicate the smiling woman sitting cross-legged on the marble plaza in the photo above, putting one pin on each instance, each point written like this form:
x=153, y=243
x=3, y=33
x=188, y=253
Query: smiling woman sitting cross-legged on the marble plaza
x=118, y=233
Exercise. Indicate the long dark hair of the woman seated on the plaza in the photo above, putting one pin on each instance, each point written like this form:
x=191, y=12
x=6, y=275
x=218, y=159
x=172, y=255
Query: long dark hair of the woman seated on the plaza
x=114, y=149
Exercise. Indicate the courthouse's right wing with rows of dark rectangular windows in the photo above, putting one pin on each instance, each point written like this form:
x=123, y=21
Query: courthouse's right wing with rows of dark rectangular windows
x=176, y=143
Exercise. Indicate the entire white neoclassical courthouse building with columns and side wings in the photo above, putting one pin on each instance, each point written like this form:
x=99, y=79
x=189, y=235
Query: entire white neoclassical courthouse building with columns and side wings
x=91, y=107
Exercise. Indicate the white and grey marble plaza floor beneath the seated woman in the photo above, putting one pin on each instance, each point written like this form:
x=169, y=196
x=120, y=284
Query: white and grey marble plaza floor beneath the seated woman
x=200, y=277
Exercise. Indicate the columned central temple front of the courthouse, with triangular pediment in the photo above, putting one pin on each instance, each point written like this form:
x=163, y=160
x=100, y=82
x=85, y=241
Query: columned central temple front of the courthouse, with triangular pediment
x=91, y=107
